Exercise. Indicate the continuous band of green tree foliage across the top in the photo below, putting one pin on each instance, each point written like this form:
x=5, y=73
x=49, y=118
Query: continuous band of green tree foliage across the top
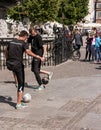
x=41, y=11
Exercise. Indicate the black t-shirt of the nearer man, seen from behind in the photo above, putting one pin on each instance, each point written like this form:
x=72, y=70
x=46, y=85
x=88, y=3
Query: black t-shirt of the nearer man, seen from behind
x=16, y=48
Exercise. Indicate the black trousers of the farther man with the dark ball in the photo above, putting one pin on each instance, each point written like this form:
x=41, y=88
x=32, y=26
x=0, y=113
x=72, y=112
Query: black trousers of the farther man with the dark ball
x=36, y=65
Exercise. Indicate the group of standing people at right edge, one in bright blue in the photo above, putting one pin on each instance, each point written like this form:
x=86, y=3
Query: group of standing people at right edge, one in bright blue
x=93, y=46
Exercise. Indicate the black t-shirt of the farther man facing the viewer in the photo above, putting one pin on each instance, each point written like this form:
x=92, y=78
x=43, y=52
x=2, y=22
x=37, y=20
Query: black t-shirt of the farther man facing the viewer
x=36, y=44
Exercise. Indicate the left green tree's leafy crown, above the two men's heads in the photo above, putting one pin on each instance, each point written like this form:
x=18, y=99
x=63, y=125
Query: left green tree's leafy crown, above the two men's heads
x=35, y=10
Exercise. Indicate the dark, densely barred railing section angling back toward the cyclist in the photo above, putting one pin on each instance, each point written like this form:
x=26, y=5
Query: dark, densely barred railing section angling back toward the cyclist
x=61, y=47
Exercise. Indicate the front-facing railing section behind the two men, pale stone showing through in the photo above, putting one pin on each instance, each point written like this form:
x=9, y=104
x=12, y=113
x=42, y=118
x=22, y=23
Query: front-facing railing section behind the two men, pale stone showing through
x=26, y=59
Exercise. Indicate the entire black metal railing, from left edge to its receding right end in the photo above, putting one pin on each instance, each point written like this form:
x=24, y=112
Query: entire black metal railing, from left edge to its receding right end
x=57, y=51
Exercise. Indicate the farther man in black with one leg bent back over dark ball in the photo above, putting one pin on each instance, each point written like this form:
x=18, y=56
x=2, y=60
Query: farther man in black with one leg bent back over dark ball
x=38, y=48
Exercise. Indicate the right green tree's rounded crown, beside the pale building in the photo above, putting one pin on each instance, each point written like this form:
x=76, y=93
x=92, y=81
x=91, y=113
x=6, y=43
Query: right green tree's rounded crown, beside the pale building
x=74, y=11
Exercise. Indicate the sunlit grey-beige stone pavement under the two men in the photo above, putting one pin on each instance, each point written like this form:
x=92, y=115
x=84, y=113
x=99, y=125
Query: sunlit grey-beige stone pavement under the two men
x=71, y=100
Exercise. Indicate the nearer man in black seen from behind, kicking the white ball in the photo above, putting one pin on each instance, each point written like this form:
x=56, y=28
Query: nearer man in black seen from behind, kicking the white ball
x=14, y=62
